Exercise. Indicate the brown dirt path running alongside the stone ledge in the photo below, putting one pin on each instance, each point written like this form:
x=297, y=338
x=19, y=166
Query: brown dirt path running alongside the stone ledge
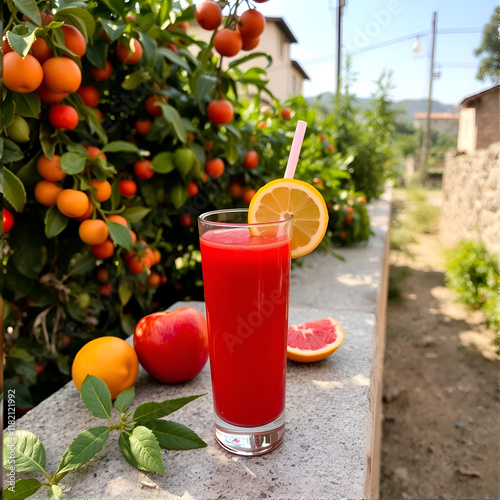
x=441, y=405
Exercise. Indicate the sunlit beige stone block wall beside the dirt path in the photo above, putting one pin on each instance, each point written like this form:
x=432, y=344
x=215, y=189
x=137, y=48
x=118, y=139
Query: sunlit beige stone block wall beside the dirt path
x=471, y=198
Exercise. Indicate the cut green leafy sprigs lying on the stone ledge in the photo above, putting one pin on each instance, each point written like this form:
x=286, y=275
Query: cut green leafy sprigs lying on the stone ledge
x=142, y=435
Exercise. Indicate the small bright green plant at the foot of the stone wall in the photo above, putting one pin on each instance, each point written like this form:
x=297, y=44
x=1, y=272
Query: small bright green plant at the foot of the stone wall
x=474, y=274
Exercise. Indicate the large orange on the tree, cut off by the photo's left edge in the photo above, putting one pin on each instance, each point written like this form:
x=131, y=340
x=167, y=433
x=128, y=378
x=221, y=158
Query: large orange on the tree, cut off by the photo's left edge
x=22, y=75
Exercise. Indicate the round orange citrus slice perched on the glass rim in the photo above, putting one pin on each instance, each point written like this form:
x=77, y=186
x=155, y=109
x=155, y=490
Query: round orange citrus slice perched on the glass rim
x=291, y=196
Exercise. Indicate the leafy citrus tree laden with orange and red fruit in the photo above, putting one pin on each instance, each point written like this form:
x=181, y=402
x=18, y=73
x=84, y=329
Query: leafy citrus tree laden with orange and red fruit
x=119, y=128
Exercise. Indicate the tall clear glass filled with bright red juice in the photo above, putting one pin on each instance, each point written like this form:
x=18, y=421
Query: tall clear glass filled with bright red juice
x=246, y=276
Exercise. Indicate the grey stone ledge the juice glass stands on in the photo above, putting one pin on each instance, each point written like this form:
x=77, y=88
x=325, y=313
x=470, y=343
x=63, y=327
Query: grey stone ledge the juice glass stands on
x=332, y=438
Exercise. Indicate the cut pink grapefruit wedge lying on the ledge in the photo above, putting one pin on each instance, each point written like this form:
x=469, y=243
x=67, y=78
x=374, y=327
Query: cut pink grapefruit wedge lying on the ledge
x=314, y=340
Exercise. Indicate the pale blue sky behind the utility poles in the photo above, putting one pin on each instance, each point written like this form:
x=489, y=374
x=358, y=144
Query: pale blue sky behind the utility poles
x=370, y=22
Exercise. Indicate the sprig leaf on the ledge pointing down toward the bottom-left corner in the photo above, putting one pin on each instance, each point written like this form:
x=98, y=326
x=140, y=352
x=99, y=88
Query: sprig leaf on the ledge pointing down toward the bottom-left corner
x=83, y=448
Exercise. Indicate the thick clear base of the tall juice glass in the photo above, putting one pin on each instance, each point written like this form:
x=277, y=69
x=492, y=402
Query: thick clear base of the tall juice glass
x=250, y=441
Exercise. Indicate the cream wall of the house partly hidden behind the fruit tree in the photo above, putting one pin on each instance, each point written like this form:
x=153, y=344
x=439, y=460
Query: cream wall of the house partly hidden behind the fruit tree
x=273, y=42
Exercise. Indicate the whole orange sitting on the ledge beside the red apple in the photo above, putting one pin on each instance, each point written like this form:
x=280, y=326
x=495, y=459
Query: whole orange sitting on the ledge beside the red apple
x=111, y=359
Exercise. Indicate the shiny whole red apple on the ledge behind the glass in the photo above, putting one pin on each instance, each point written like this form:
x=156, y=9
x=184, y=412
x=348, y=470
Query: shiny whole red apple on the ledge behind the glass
x=172, y=346
